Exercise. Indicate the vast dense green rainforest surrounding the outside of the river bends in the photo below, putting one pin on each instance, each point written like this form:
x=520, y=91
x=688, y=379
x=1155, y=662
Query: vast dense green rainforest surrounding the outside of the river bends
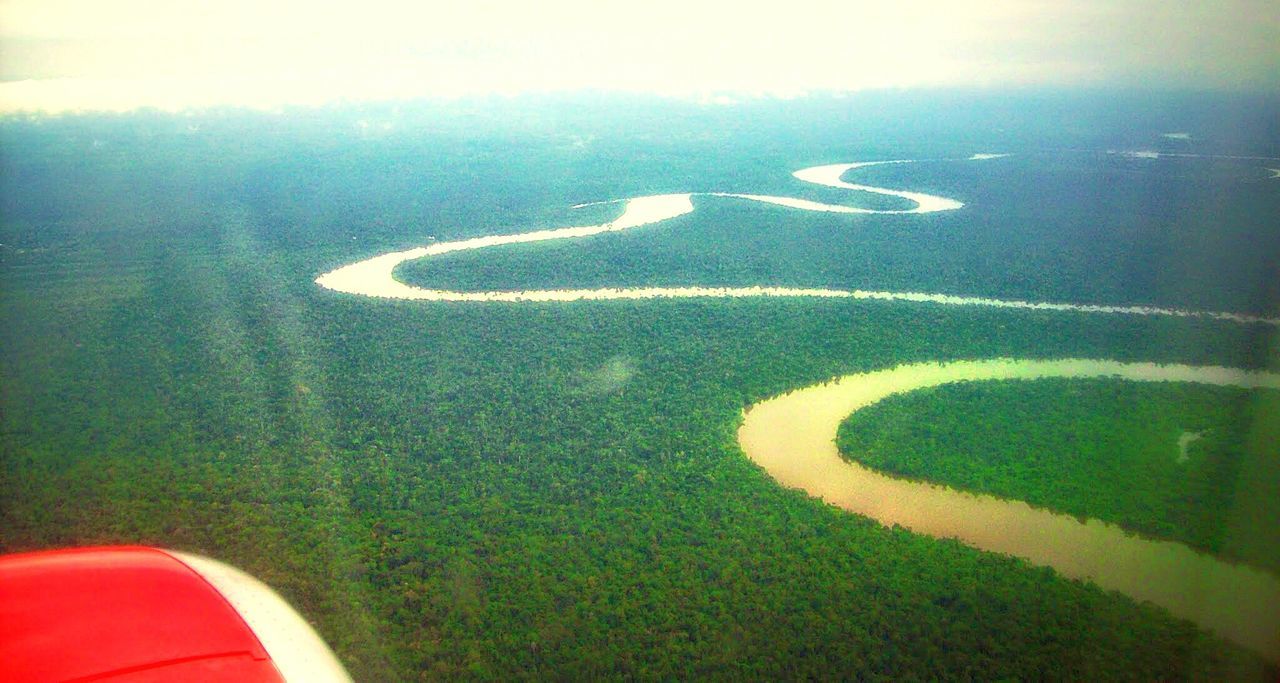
x=555, y=491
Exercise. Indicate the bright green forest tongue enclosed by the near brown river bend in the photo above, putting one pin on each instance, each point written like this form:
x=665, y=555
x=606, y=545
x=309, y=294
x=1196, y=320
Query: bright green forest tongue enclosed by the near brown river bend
x=1183, y=462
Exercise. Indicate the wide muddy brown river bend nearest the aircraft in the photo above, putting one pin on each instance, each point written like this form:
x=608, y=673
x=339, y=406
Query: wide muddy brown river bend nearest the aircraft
x=793, y=438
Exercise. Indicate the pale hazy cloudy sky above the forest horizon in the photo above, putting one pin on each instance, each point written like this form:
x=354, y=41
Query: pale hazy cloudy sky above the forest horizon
x=118, y=54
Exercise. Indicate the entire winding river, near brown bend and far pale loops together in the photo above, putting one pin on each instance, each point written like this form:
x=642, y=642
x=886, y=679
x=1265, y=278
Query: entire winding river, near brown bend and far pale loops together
x=793, y=437
